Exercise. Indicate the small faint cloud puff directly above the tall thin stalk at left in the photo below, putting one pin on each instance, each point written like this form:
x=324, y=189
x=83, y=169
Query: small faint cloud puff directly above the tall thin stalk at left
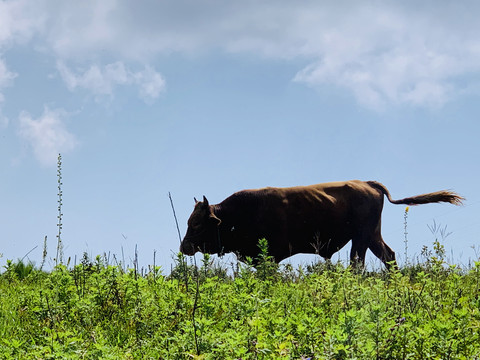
x=47, y=136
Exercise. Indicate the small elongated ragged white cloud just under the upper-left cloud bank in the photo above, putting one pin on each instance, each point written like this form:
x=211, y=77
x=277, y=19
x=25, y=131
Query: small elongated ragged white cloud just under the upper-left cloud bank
x=101, y=81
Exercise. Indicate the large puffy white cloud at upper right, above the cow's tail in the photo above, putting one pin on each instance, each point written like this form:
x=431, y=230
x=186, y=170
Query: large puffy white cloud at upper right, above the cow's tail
x=391, y=55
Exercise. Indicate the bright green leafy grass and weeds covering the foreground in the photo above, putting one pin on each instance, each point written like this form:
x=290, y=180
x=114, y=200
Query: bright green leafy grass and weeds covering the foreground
x=98, y=311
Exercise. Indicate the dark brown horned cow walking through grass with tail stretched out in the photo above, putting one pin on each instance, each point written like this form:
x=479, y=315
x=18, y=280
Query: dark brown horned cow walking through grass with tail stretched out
x=317, y=219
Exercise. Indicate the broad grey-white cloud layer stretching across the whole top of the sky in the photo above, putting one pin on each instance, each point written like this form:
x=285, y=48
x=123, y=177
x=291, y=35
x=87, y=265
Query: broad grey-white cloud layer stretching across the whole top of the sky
x=383, y=53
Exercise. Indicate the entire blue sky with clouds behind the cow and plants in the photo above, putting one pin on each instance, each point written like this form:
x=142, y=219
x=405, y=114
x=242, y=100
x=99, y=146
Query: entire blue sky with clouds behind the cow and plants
x=207, y=98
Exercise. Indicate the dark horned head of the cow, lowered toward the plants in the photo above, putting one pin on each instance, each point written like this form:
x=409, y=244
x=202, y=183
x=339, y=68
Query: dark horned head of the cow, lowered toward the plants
x=202, y=233
